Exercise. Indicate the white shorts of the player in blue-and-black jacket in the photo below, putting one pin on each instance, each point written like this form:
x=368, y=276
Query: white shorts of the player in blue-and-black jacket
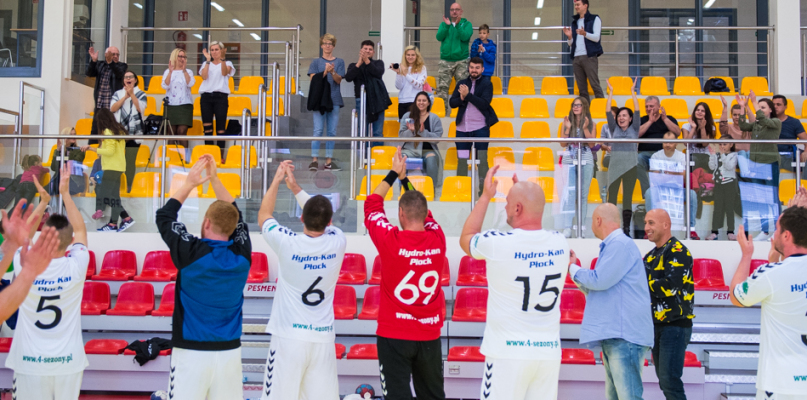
x=214, y=375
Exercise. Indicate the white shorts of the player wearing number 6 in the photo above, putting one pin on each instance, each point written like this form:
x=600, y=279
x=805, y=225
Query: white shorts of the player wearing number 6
x=300, y=370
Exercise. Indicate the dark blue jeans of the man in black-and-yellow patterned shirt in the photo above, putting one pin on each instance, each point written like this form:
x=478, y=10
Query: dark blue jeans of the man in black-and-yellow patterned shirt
x=669, y=351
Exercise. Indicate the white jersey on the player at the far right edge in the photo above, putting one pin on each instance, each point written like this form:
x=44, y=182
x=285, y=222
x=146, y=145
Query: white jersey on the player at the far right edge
x=782, y=290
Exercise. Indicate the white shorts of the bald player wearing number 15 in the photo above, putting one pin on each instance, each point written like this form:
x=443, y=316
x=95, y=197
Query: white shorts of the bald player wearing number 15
x=506, y=379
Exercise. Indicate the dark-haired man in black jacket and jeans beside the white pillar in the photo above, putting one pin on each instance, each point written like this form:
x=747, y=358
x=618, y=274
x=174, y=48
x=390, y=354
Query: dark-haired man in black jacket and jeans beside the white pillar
x=367, y=71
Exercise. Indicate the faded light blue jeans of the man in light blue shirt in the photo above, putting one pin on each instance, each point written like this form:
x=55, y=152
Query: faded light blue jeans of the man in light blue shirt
x=623, y=363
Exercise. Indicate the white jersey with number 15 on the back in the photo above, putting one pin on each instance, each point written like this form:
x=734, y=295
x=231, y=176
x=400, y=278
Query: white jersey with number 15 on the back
x=526, y=274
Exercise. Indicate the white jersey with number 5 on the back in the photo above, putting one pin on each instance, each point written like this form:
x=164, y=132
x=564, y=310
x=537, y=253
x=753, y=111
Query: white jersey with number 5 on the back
x=48, y=338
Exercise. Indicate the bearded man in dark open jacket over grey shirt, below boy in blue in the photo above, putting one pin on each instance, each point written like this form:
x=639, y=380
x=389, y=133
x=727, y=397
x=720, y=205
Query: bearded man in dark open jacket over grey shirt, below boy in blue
x=474, y=118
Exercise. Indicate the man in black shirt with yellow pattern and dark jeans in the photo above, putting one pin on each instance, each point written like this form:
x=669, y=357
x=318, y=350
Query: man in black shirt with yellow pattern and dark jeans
x=672, y=292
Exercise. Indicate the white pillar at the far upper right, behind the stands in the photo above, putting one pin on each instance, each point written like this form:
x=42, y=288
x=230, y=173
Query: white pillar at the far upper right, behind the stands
x=786, y=47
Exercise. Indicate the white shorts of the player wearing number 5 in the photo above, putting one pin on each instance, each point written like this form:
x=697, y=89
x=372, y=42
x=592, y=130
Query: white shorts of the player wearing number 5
x=38, y=387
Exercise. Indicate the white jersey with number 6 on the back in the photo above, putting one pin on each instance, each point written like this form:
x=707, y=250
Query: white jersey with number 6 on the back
x=309, y=268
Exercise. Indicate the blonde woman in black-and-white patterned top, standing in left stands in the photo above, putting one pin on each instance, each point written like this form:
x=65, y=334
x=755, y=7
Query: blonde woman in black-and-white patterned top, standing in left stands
x=128, y=105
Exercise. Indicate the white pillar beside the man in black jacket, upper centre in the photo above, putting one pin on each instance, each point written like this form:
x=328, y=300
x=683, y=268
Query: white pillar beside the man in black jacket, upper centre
x=393, y=17
